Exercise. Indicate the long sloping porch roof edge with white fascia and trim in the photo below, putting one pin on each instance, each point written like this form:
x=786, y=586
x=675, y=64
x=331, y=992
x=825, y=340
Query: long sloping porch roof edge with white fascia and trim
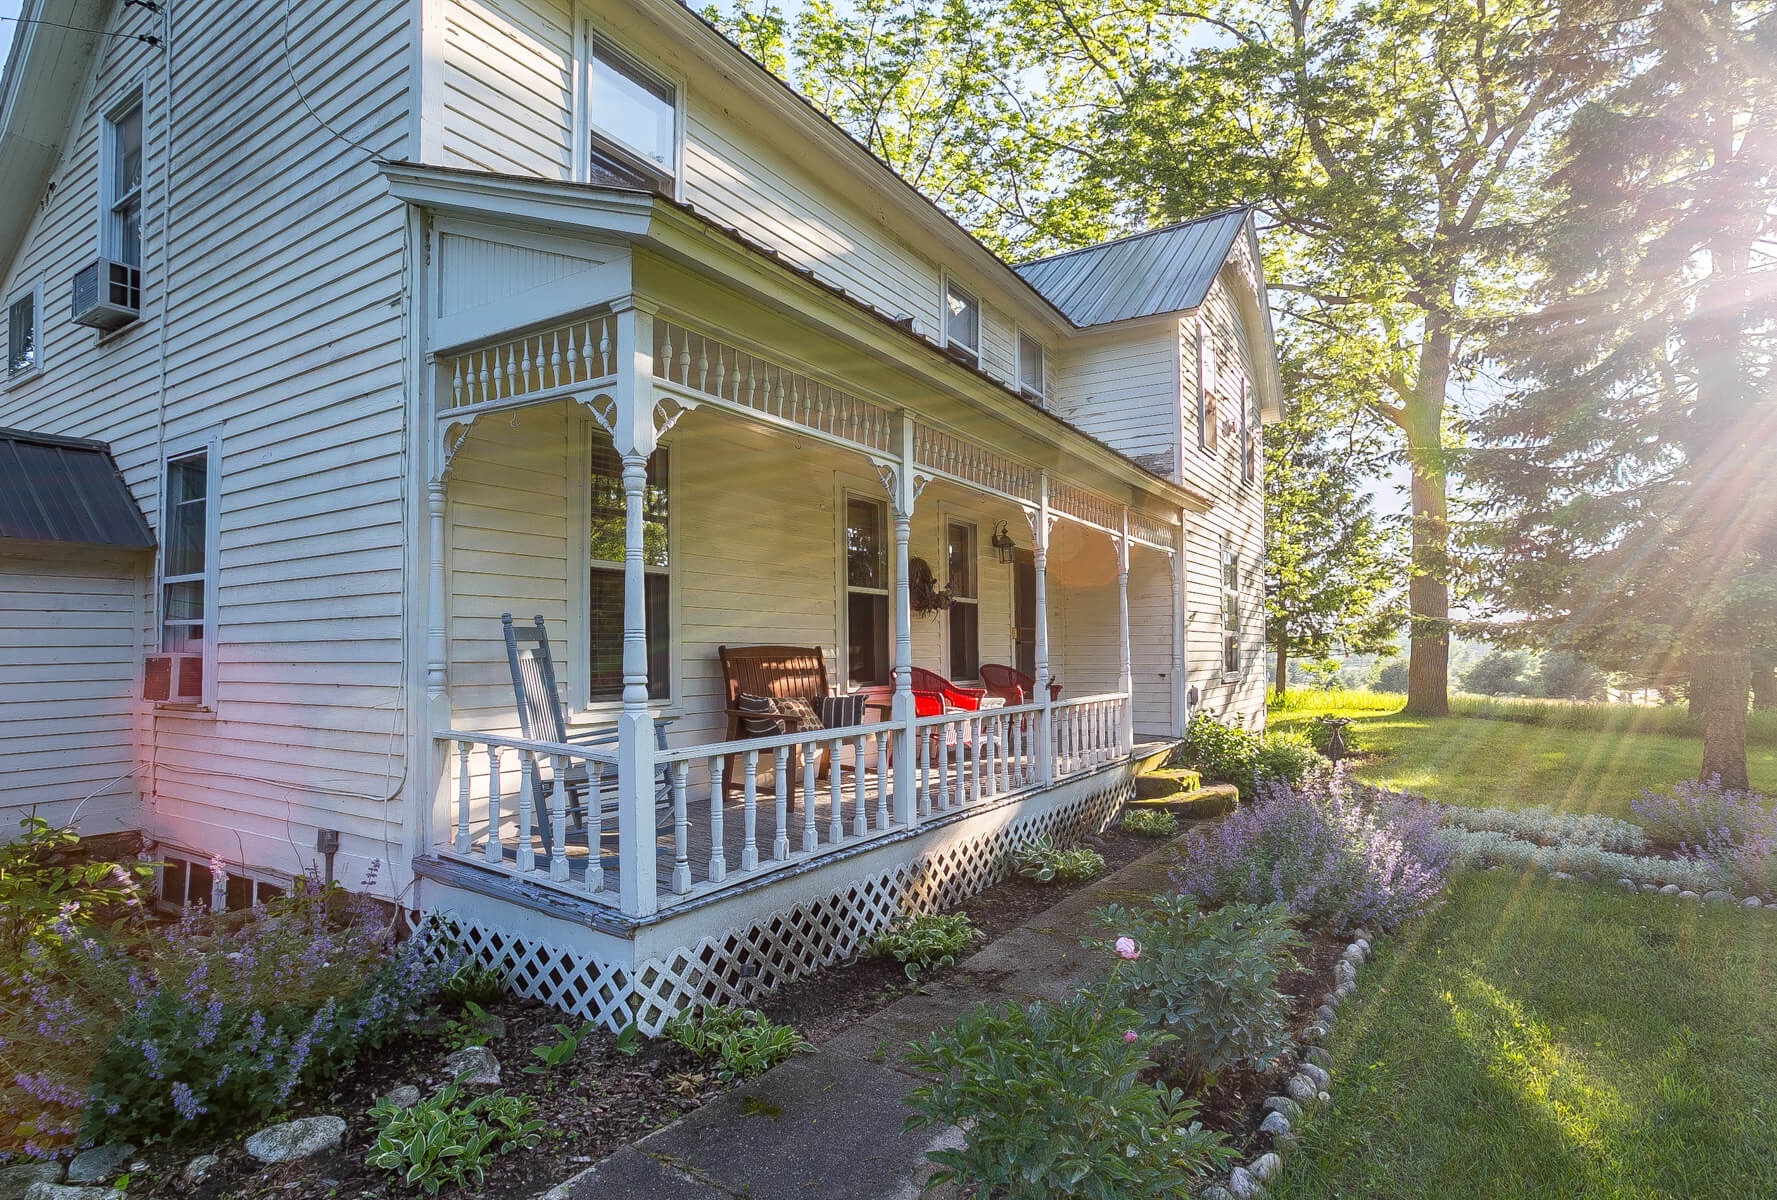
x=646, y=216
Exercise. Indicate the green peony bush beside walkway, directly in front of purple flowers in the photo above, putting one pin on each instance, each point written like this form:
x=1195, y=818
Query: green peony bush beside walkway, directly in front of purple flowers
x=1206, y=979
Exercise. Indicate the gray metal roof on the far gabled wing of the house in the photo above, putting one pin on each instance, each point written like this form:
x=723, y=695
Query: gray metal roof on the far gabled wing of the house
x=1161, y=271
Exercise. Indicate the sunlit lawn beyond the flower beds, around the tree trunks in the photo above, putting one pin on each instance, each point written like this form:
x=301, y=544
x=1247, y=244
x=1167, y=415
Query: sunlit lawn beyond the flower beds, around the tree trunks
x=1469, y=760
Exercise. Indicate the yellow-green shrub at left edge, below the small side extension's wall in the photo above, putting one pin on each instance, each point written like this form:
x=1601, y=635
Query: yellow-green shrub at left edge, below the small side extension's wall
x=47, y=892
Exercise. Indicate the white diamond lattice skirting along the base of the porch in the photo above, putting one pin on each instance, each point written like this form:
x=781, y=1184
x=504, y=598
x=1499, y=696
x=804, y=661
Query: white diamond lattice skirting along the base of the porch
x=777, y=931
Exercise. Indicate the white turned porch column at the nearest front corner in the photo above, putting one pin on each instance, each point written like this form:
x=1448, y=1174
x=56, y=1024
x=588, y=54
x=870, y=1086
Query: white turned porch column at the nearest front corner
x=634, y=440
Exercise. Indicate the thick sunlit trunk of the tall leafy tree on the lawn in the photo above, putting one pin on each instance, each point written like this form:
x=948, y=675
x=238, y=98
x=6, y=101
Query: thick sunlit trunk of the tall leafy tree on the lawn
x=1430, y=588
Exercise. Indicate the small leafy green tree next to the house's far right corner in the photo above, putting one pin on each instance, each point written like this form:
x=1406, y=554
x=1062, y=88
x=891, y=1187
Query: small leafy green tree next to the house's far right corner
x=1334, y=568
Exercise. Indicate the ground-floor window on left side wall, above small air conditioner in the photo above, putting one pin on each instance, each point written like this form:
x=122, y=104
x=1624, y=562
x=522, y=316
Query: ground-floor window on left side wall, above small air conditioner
x=187, y=566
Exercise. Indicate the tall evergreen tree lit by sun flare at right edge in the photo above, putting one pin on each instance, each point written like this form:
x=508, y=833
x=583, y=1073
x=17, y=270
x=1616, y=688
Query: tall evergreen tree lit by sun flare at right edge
x=1632, y=479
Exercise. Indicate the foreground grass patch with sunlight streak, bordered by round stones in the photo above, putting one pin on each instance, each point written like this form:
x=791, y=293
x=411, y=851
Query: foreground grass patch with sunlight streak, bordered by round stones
x=1536, y=1041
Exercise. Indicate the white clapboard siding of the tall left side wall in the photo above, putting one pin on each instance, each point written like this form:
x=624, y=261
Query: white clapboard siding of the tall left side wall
x=280, y=335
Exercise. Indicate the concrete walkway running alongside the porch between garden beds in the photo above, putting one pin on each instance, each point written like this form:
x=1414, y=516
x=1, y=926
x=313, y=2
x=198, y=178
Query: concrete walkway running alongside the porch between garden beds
x=829, y=1126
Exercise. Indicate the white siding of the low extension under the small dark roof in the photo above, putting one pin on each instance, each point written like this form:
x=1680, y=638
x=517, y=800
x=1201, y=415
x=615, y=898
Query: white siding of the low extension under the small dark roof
x=70, y=646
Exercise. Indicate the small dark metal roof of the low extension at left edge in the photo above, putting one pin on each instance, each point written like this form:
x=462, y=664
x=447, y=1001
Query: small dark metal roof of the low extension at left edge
x=67, y=490
